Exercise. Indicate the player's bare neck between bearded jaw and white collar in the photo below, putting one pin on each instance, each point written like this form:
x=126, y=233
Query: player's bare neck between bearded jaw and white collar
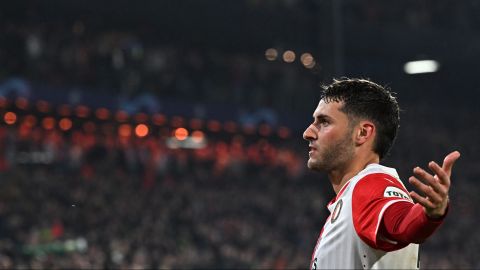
x=339, y=177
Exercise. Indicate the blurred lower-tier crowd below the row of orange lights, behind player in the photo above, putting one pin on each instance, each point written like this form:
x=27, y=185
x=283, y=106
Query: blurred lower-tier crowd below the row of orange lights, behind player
x=128, y=202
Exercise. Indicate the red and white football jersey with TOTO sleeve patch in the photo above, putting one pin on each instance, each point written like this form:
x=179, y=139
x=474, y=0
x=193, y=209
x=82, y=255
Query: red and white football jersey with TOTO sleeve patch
x=349, y=239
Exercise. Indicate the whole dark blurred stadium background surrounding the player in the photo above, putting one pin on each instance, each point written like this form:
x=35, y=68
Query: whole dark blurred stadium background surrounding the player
x=247, y=199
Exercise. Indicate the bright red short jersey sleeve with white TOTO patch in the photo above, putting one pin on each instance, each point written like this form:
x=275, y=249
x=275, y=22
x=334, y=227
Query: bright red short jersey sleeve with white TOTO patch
x=372, y=195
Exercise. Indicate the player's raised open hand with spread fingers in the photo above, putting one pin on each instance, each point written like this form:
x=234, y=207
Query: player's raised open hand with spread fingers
x=434, y=187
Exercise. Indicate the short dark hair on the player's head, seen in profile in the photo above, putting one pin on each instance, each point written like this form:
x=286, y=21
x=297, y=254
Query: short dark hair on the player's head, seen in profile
x=364, y=99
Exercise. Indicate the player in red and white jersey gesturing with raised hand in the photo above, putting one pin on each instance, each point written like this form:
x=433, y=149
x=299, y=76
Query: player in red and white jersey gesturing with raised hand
x=373, y=222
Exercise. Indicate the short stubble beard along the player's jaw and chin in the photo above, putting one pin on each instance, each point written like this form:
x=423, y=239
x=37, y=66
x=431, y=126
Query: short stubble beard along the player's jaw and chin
x=334, y=156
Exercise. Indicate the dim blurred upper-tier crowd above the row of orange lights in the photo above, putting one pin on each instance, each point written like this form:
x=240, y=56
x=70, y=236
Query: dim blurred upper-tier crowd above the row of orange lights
x=128, y=65
